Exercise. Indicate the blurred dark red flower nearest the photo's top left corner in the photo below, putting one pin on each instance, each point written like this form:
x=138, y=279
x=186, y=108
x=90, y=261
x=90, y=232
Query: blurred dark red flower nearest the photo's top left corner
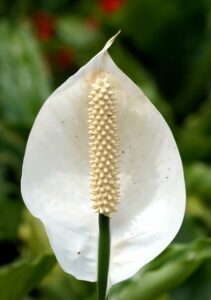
x=44, y=26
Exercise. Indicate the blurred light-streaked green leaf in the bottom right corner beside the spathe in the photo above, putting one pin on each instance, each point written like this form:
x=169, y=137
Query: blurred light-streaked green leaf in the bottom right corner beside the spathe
x=165, y=273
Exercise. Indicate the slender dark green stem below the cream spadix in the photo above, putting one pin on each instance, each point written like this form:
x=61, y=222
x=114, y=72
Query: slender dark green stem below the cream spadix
x=103, y=256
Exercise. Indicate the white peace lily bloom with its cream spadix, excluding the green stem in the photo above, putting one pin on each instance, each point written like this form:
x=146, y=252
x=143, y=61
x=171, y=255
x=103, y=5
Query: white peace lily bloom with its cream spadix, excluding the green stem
x=98, y=137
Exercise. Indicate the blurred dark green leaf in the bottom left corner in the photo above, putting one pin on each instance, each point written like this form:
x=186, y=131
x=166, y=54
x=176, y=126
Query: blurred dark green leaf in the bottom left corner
x=18, y=278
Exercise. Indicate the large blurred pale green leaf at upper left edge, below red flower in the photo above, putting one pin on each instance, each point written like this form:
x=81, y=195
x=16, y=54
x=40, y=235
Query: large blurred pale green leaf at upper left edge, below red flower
x=24, y=80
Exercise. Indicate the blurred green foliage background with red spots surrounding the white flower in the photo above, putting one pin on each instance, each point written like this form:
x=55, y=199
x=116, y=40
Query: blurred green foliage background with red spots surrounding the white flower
x=164, y=47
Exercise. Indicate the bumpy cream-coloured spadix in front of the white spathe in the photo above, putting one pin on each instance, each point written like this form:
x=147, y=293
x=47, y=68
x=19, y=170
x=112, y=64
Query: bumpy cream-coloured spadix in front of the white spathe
x=103, y=136
